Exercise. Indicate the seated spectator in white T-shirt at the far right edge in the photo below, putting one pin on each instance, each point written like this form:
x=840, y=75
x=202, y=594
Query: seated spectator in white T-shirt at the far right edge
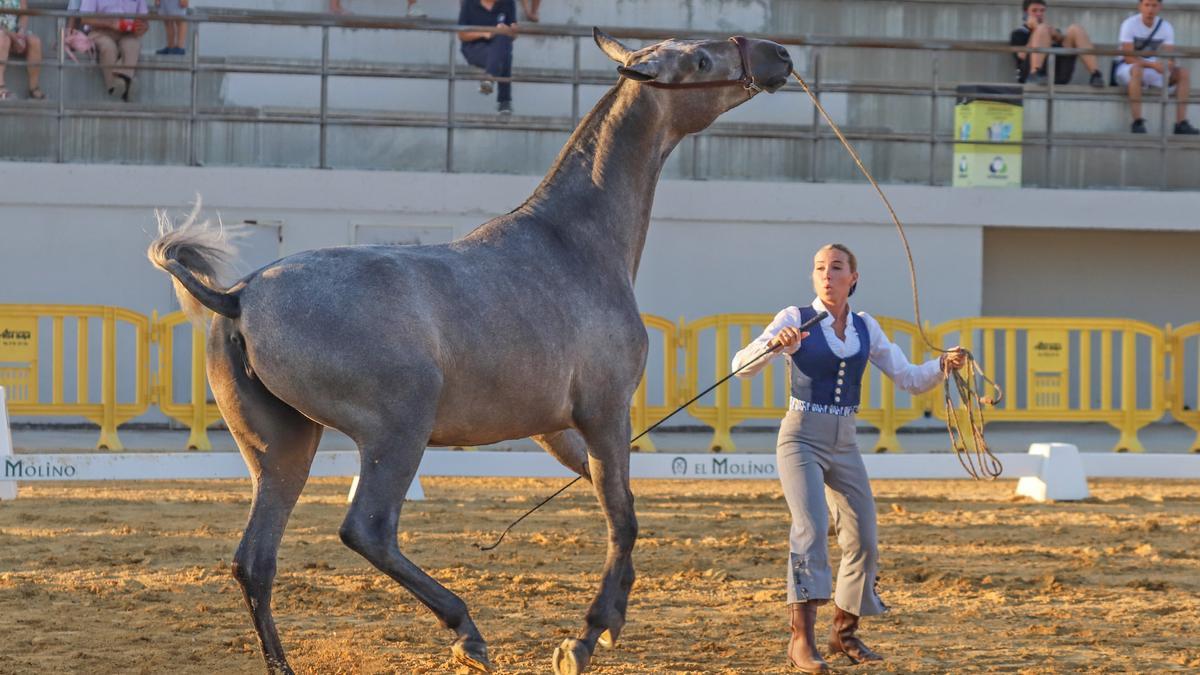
x=1144, y=35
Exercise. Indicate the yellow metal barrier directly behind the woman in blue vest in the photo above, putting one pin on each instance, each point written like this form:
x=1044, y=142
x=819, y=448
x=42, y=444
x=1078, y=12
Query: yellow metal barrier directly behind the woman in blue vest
x=772, y=384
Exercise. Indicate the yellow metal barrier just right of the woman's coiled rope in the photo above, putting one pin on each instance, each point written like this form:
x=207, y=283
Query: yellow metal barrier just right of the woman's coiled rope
x=1051, y=349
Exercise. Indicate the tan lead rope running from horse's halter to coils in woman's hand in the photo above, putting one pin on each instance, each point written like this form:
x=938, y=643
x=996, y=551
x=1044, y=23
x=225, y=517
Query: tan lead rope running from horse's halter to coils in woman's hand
x=975, y=457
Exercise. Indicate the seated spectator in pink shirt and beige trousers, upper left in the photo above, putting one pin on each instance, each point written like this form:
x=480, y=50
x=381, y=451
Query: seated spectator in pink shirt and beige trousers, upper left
x=118, y=40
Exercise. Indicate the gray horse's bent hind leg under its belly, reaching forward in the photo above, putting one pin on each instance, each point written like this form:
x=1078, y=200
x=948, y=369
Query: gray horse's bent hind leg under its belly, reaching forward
x=391, y=459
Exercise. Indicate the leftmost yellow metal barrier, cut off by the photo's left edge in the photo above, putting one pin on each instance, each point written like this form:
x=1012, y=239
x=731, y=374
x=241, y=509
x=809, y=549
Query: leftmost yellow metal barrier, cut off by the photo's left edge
x=21, y=365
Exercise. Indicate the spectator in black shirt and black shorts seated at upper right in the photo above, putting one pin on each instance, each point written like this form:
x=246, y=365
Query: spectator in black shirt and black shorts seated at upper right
x=1036, y=32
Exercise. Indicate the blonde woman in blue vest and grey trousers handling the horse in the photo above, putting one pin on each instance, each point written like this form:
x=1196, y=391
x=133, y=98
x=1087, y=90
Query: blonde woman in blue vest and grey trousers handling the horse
x=819, y=461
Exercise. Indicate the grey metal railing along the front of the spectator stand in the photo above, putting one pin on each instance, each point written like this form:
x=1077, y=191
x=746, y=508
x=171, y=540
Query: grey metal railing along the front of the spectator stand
x=937, y=89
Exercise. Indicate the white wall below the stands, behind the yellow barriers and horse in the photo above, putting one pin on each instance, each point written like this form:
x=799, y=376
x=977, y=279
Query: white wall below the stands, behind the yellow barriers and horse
x=79, y=234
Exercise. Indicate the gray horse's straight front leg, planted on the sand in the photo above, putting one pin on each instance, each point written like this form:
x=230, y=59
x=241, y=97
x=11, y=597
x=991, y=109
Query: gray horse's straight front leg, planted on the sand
x=609, y=464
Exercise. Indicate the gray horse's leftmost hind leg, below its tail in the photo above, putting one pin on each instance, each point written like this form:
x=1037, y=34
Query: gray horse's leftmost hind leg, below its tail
x=278, y=444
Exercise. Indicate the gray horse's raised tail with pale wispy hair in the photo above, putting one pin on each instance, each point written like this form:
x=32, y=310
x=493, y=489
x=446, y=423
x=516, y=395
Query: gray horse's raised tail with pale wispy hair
x=196, y=254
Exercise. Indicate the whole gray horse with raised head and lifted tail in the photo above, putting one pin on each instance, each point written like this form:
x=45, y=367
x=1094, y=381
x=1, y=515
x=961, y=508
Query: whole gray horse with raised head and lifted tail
x=526, y=327
